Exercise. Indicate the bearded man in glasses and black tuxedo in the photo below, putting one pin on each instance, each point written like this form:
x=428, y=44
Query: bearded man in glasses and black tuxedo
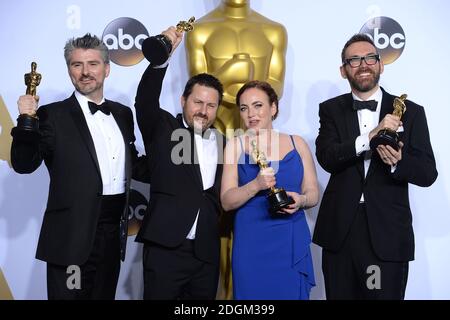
x=364, y=223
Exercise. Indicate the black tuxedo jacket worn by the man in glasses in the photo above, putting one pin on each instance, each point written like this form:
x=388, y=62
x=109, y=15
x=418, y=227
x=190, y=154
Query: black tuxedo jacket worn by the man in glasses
x=385, y=193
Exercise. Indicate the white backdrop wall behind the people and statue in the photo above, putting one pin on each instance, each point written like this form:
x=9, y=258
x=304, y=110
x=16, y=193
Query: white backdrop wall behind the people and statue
x=317, y=30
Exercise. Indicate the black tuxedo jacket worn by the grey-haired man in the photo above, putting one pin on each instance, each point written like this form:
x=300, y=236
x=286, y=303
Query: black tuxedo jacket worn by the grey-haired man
x=75, y=191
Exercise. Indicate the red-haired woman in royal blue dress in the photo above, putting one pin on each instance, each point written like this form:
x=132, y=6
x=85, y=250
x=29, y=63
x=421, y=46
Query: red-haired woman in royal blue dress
x=271, y=257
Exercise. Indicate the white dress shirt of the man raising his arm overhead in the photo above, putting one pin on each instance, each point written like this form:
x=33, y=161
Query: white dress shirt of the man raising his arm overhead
x=207, y=156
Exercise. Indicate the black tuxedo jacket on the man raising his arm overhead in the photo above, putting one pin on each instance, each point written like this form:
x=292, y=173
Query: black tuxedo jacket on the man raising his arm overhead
x=176, y=189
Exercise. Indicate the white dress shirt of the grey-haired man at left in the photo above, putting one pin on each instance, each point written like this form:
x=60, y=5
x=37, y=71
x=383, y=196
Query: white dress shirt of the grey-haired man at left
x=109, y=147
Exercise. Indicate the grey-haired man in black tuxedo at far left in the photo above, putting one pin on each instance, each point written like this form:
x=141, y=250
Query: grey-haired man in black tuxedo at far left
x=87, y=144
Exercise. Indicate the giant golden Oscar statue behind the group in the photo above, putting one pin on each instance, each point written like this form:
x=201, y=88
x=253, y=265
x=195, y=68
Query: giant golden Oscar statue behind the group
x=236, y=44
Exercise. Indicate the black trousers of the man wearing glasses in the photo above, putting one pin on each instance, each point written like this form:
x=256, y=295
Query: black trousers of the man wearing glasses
x=355, y=272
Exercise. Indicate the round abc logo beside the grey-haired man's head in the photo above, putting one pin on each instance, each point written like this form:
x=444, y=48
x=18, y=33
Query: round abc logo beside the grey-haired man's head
x=123, y=37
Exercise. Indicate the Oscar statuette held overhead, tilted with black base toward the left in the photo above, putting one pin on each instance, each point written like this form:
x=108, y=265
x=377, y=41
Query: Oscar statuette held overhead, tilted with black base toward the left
x=157, y=49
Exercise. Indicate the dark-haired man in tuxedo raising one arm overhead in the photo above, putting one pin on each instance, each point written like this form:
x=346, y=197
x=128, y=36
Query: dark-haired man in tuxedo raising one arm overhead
x=180, y=227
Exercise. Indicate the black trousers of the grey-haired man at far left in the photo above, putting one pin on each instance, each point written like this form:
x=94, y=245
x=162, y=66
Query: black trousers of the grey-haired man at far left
x=97, y=278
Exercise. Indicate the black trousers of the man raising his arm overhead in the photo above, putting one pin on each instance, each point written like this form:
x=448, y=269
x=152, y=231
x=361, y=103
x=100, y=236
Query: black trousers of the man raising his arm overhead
x=177, y=274
